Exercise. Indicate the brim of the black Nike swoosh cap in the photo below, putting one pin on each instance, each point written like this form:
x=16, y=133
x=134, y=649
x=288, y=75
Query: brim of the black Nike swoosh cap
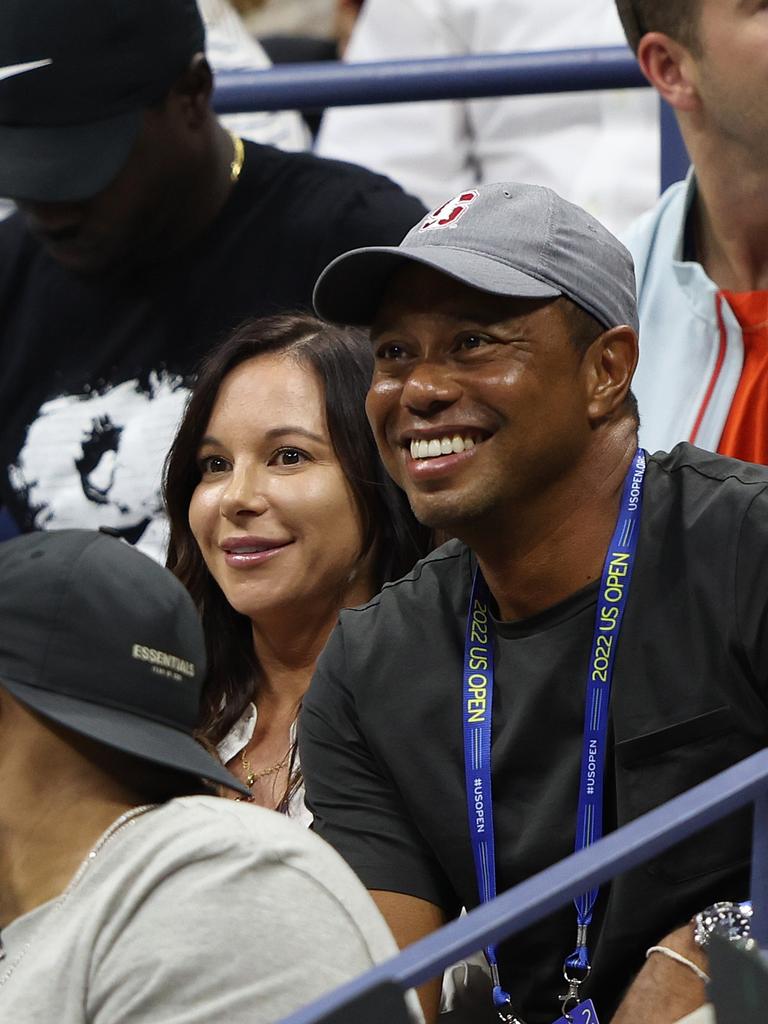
x=65, y=163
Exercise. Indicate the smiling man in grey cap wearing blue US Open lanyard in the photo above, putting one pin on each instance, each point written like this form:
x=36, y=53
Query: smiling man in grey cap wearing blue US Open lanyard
x=505, y=335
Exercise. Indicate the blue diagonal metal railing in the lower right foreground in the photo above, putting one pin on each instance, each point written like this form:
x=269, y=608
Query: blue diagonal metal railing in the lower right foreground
x=527, y=904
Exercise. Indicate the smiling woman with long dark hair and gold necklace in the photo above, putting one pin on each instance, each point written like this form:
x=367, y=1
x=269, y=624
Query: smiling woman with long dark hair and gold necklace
x=281, y=514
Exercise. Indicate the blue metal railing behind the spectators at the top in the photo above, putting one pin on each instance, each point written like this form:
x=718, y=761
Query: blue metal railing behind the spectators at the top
x=335, y=84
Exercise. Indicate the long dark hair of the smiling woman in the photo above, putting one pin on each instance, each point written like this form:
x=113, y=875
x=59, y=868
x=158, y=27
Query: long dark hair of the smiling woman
x=344, y=361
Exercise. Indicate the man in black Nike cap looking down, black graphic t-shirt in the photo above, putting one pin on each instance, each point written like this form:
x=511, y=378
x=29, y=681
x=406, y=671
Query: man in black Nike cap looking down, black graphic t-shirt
x=146, y=233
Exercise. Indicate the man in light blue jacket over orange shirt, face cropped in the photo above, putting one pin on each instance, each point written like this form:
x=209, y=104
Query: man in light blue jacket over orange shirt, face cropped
x=702, y=254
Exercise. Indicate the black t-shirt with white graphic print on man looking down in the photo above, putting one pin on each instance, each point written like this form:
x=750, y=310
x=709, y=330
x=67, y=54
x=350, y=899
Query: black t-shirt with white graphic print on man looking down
x=94, y=370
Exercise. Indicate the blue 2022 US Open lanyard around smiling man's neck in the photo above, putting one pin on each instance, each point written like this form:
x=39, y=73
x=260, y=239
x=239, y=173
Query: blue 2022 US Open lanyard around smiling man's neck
x=478, y=711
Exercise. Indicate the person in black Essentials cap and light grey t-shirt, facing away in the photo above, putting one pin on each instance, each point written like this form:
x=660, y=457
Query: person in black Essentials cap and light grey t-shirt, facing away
x=118, y=904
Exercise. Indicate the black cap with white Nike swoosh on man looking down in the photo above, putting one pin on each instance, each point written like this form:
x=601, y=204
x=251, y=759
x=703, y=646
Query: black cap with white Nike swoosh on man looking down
x=75, y=78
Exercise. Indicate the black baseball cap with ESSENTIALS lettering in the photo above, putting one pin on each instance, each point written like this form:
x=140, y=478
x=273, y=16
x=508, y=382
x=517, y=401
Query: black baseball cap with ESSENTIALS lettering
x=103, y=641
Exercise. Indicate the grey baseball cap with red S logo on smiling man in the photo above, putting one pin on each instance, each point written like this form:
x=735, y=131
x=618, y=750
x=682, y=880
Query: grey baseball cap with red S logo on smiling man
x=508, y=239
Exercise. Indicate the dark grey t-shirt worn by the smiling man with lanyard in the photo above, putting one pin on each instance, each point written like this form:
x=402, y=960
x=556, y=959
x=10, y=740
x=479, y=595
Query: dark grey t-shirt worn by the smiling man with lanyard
x=381, y=738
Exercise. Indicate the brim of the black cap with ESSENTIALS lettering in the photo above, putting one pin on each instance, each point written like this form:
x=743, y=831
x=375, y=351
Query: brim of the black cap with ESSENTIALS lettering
x=121, y=731
